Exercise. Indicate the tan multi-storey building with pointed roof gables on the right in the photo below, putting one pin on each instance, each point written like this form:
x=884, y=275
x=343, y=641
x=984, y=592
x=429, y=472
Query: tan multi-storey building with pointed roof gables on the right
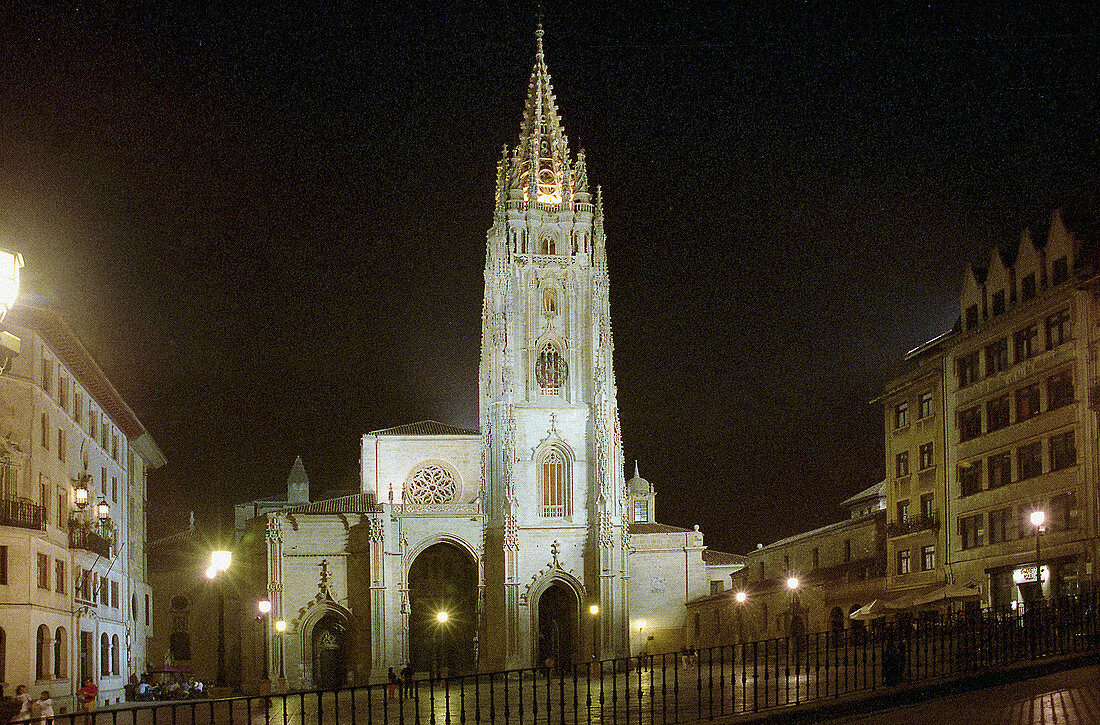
x=1006, y=409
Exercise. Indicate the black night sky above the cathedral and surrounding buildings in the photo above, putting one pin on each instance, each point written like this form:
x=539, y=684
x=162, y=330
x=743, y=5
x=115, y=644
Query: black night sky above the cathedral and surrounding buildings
x=269, y=225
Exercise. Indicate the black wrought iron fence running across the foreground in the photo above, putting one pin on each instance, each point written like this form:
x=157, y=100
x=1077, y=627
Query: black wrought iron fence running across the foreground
x=676, y=687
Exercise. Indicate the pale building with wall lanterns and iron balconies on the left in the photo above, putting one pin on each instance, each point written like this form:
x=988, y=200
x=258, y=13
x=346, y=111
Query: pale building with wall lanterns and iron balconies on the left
x=73, y=580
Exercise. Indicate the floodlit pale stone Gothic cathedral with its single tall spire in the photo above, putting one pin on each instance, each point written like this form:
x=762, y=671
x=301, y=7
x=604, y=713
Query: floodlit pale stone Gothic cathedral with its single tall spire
x=519, y=543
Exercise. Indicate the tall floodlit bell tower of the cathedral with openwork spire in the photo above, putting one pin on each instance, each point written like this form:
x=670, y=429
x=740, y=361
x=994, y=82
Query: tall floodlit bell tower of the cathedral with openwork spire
x=554, y=490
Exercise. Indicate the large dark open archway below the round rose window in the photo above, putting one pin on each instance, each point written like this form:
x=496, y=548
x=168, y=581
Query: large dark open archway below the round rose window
x=444, y=578
